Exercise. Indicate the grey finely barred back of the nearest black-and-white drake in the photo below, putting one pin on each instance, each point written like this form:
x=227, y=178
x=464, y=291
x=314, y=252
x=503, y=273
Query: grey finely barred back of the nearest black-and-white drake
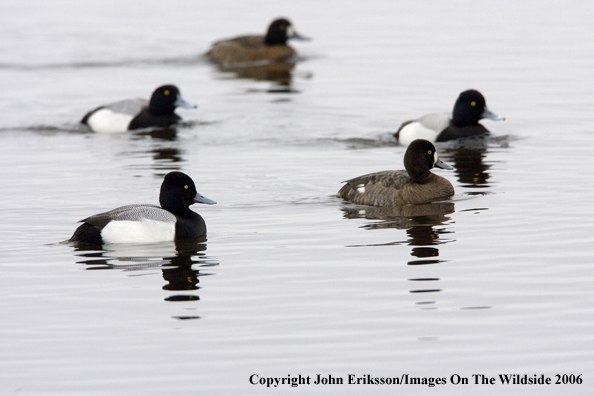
x=131, y=213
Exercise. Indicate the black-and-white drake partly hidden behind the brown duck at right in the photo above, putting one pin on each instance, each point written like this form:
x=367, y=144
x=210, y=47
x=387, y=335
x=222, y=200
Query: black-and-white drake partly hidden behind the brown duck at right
x=440, y=127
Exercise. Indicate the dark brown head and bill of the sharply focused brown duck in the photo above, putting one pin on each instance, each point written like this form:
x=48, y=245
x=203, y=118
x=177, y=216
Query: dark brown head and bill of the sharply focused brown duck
x=420, y=158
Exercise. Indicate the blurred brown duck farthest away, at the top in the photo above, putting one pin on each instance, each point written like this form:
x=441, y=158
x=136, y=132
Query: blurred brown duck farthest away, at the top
x=253, y=48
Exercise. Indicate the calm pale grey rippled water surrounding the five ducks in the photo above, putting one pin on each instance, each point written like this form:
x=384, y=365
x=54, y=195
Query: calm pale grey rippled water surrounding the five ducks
x=292, y=280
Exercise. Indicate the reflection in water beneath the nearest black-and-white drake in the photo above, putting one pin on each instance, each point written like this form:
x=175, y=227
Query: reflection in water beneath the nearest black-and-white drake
x=182, y=264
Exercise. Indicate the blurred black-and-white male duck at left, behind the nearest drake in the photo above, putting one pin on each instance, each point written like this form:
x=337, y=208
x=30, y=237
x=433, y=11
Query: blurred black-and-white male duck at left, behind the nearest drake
x=132, y=114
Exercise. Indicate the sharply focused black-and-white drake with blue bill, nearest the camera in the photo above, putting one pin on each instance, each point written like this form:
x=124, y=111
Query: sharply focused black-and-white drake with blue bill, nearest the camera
x=143, y=223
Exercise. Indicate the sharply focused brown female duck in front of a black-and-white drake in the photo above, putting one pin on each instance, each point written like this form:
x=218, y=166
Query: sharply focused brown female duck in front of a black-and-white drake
x=414, y=185
